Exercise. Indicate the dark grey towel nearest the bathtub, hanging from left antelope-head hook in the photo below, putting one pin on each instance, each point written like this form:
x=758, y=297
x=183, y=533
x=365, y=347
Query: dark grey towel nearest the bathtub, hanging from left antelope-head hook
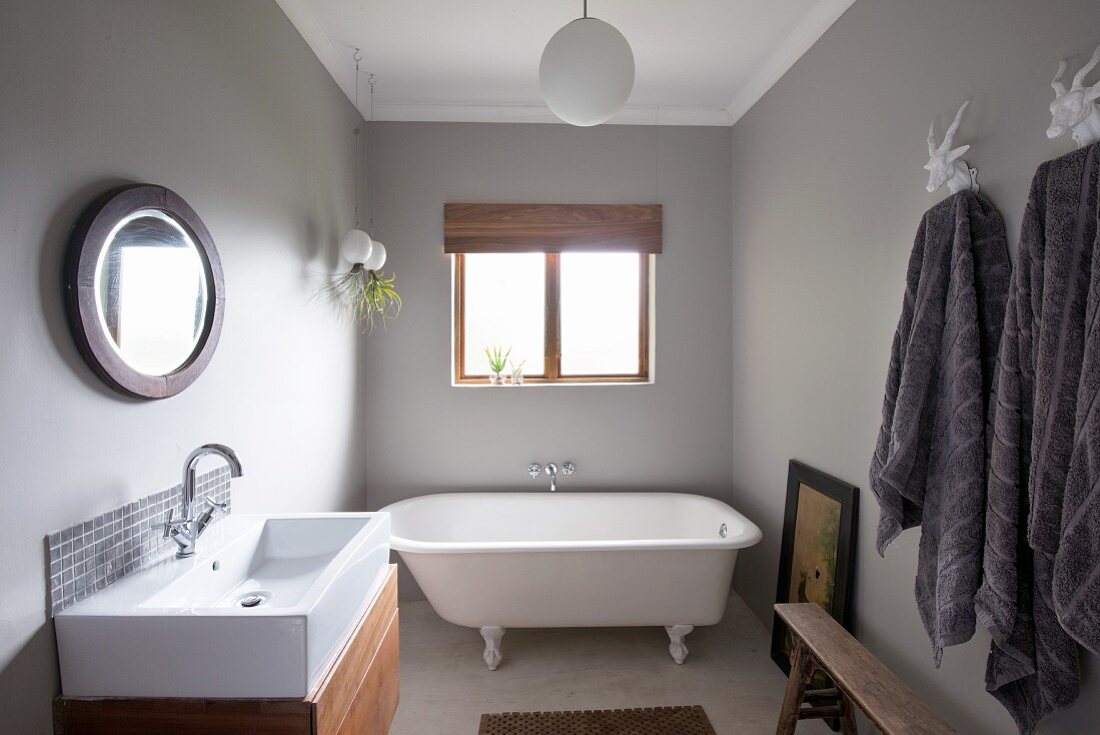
x=930, y=464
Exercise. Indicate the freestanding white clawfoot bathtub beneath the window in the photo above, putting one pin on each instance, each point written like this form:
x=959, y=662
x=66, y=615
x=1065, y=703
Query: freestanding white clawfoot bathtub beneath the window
x=531, y=561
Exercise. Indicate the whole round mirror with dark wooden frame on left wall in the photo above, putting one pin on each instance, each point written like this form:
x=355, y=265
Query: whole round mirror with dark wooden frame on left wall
x=145, y=291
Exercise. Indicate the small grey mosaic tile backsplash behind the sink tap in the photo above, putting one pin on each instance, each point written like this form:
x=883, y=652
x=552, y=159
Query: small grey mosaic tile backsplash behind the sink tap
x=89, y=556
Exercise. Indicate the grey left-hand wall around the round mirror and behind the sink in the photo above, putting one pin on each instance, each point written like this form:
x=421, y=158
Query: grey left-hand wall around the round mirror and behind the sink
x=225, y=104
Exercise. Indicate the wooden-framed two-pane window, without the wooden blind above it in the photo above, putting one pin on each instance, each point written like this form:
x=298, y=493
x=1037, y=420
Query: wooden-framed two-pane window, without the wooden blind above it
x=568, y=317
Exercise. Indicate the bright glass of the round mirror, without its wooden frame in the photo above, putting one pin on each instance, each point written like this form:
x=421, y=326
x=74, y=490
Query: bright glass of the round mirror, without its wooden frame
x=152, y=292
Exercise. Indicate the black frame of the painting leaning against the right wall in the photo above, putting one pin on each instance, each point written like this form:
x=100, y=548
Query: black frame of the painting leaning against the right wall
x=802, y=476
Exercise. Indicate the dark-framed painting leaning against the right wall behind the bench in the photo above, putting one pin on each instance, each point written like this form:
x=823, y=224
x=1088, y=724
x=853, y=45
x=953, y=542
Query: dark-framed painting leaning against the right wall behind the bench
x=818, y=553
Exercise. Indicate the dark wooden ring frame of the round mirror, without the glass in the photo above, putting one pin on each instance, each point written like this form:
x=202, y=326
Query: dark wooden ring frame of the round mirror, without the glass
x=87, y=243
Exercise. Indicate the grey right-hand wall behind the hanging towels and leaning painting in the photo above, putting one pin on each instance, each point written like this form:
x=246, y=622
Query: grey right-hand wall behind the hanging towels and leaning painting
x=829, y=192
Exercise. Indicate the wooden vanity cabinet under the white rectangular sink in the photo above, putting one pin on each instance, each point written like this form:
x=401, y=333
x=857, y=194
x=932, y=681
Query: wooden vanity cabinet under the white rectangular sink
x=358, y=695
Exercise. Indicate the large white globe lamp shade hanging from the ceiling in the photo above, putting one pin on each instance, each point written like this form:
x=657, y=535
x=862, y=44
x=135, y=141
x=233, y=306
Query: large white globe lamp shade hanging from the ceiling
x=587, y=72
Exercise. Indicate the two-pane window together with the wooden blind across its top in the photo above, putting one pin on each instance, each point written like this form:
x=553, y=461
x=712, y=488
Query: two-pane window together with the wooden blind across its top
x=565, y=287
